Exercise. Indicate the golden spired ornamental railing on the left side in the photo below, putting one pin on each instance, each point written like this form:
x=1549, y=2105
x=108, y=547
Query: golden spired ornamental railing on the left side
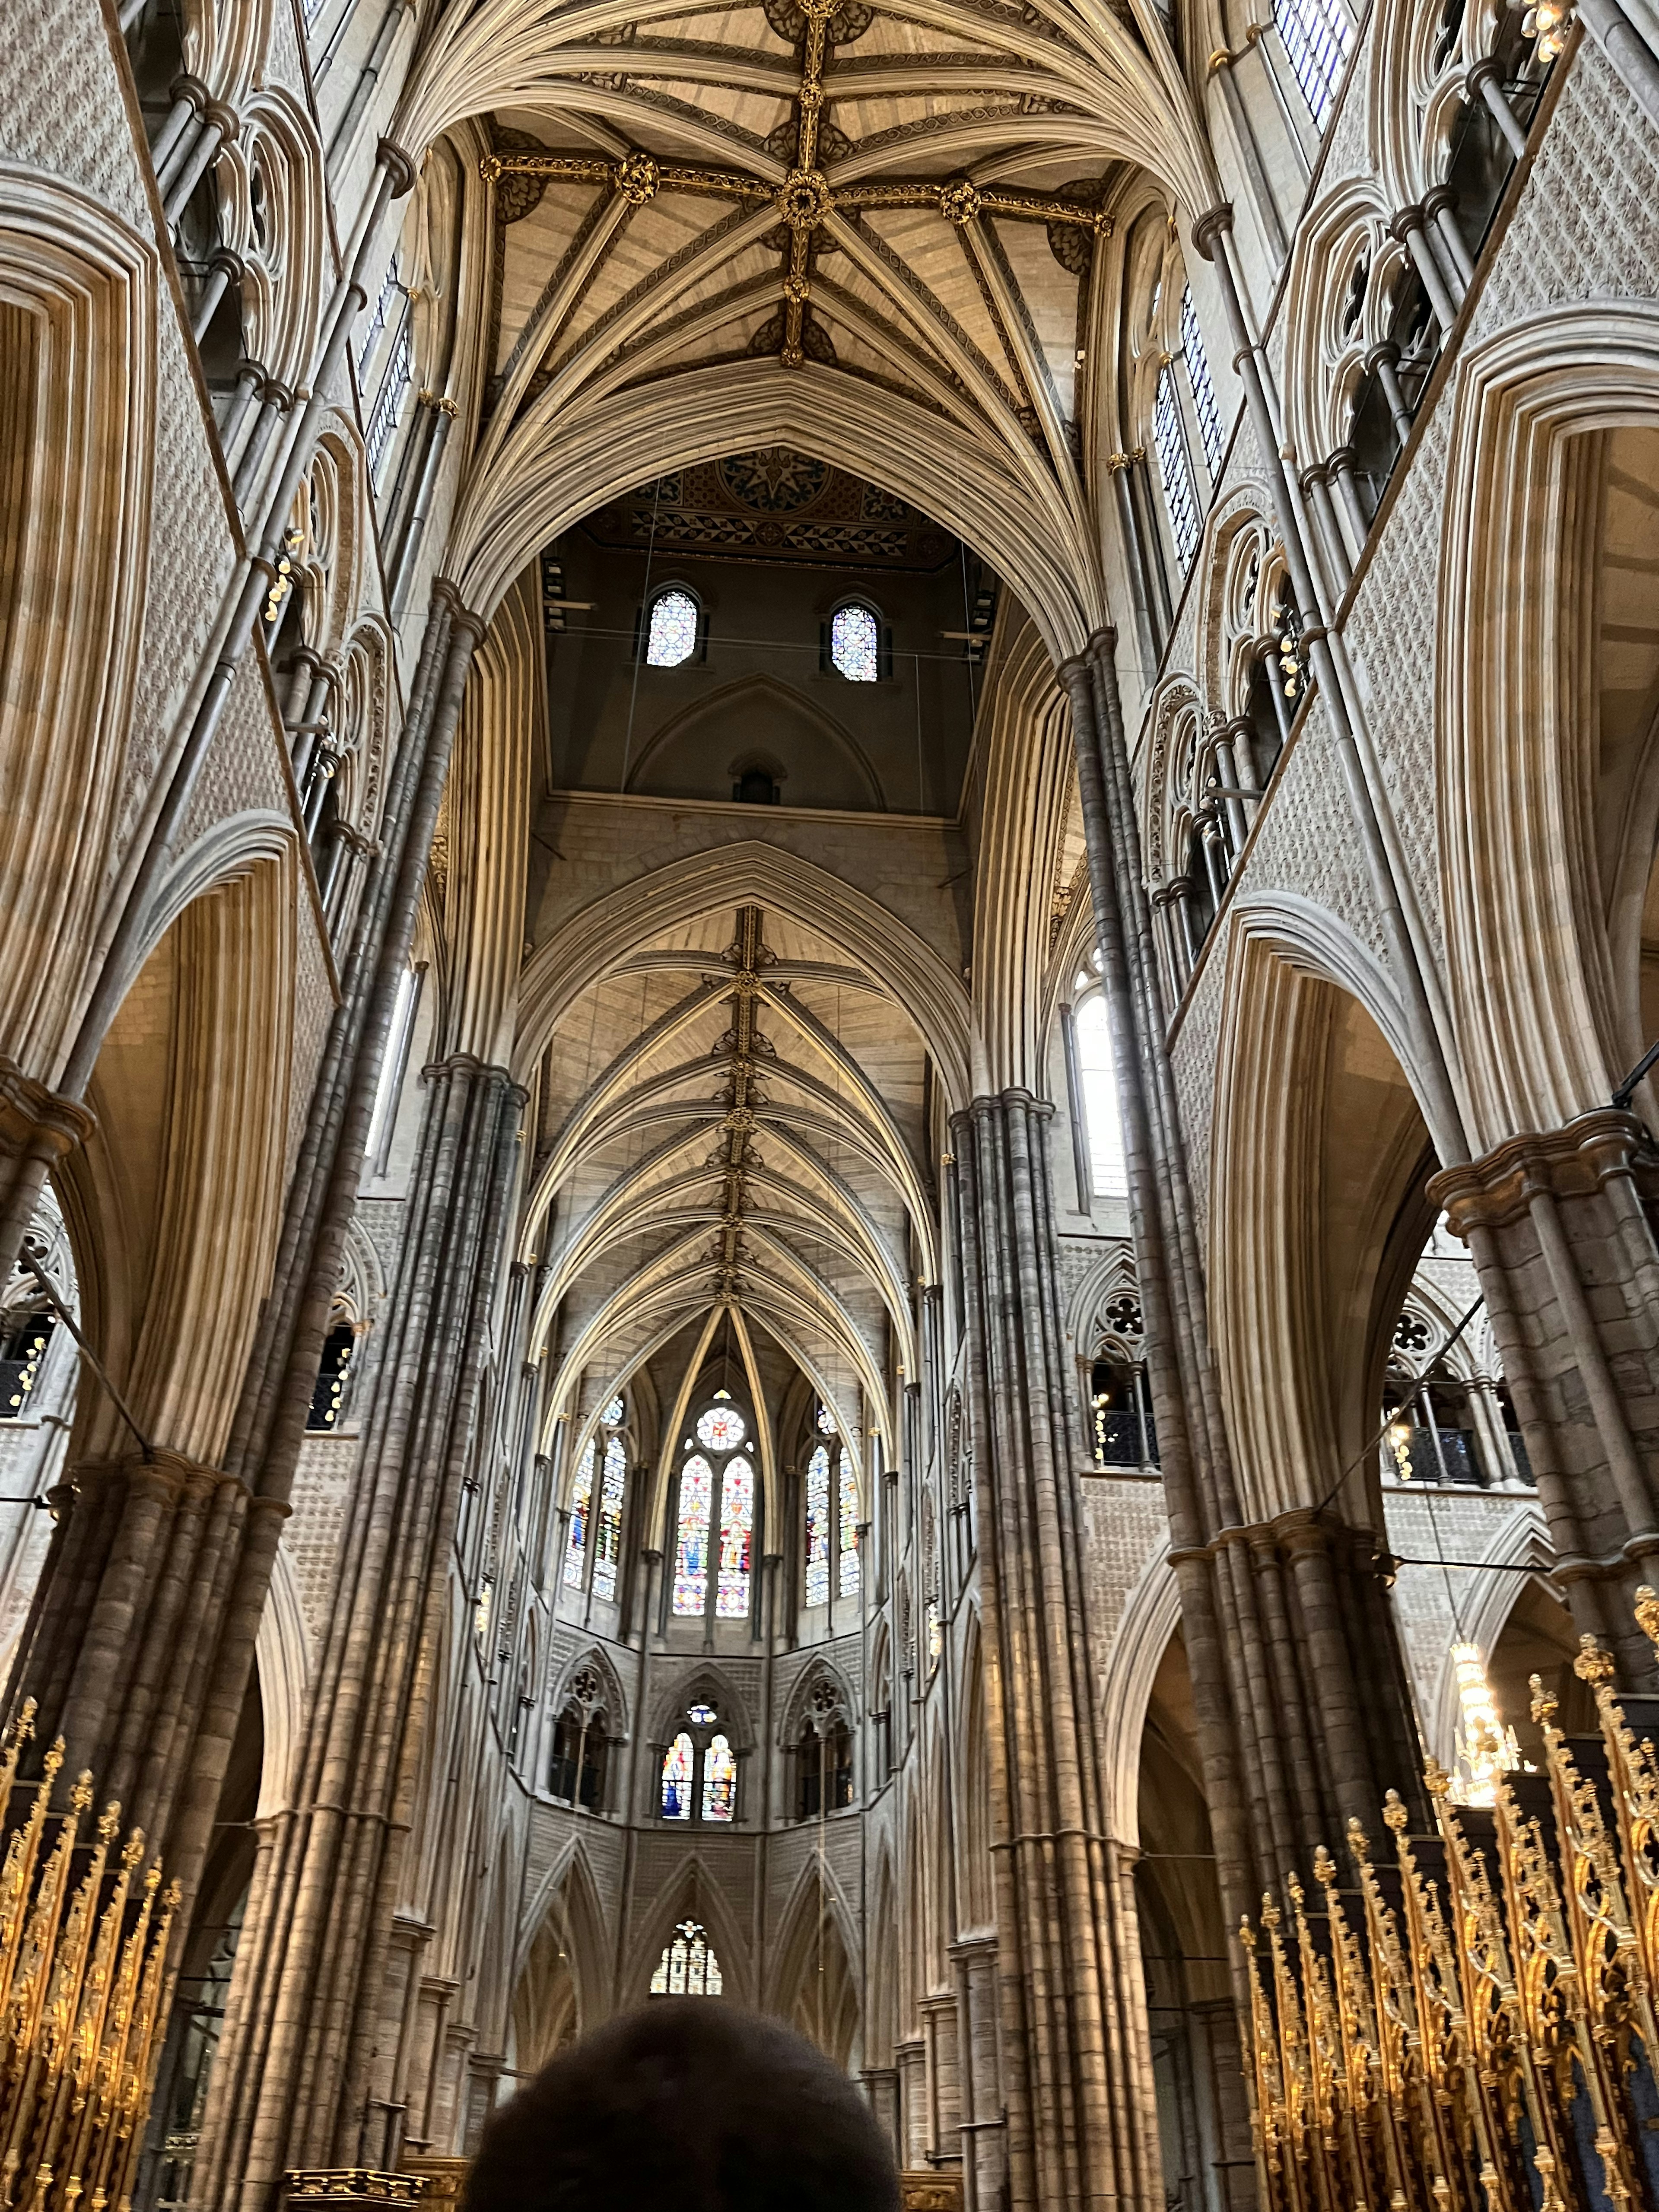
x=83, y=1959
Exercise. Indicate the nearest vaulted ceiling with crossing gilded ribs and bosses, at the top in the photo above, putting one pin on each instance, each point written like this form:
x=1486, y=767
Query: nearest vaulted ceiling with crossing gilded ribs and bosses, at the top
x=897, y=205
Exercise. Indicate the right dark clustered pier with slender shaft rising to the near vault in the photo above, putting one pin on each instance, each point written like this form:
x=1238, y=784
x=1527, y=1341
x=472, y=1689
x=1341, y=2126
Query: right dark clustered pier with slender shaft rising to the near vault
x=1300, y=1689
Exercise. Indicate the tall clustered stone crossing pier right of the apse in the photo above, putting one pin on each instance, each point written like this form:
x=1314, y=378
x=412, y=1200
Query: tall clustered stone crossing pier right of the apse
x=1076, y=2063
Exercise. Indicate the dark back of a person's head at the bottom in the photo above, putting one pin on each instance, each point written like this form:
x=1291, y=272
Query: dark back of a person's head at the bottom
x=696, y=2105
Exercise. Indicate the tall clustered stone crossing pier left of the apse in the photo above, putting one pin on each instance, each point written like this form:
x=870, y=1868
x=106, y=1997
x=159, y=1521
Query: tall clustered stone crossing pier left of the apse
x=306, y=2014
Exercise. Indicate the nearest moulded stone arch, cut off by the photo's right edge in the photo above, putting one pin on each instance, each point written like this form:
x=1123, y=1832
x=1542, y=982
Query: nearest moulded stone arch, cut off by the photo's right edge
x=1545, y=1021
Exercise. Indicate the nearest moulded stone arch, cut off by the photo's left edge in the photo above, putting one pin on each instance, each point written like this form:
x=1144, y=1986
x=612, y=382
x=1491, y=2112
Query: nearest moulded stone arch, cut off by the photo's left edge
x=79, y=311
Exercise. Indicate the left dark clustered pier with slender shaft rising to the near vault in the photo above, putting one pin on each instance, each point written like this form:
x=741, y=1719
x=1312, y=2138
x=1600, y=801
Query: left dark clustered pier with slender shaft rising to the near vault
x=140, y=1640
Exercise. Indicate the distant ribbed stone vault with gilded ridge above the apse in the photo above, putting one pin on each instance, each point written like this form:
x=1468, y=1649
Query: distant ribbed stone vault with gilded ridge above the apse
x=733, y=1118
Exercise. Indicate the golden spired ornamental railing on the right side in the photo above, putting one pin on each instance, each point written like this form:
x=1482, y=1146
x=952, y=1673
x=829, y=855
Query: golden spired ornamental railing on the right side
x=1477, y=2030
